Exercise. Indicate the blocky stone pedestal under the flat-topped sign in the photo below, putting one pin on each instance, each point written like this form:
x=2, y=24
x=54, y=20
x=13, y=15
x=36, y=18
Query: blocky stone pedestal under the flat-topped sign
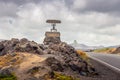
x=52, y=37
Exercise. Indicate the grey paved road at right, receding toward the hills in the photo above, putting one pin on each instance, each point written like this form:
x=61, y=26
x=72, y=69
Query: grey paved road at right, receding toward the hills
x=111, y=59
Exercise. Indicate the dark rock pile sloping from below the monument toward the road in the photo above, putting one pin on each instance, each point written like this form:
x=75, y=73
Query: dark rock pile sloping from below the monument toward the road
x=66, y=58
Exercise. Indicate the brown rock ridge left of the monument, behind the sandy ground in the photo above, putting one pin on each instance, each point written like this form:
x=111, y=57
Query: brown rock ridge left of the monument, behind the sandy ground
x=23, y=45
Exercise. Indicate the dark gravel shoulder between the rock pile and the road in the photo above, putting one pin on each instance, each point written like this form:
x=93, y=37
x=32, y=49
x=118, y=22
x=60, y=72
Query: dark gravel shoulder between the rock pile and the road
x=104, y=73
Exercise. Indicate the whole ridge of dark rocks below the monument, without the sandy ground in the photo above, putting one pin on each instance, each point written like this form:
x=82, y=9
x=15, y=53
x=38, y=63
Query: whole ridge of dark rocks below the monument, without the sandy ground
x=60, y=57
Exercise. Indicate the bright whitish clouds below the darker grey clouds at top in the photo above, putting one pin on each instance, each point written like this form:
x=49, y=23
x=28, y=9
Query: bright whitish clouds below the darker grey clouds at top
x=92, y=28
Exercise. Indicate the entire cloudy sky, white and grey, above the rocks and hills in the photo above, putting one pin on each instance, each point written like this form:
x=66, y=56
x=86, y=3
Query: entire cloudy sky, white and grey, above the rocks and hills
x=91, y=22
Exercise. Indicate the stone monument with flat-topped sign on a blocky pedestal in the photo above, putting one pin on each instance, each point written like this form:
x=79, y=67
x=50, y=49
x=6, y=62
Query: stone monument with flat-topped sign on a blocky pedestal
x=52, y=36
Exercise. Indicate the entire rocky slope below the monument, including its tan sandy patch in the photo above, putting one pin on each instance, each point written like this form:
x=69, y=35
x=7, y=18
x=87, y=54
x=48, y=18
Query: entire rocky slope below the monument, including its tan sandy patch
x=27, y=60
